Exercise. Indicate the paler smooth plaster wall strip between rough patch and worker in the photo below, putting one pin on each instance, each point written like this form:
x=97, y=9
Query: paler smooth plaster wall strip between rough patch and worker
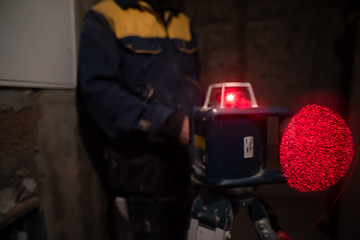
x=71, y=199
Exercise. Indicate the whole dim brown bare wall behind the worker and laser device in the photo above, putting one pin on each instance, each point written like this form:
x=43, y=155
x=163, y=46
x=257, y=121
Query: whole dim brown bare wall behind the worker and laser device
x=286, y=49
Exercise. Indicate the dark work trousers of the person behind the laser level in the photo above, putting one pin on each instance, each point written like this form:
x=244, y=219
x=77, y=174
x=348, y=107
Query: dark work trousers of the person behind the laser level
x=157, y=191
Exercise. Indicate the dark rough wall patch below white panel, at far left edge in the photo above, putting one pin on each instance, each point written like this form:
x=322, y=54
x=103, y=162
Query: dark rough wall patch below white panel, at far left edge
x=18, y=137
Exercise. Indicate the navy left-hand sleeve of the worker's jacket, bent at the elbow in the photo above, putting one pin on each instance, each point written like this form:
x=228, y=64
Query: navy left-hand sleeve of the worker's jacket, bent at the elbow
x=116, y=110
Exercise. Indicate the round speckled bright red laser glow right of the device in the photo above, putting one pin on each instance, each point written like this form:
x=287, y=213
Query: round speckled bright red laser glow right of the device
x=316, y=149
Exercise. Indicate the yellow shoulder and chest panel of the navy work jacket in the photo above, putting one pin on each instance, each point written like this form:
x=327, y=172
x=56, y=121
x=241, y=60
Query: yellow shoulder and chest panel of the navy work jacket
x=141, y=23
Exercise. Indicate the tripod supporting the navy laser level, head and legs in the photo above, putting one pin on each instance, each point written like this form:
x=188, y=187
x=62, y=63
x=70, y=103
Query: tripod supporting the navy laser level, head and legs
x=212, y=216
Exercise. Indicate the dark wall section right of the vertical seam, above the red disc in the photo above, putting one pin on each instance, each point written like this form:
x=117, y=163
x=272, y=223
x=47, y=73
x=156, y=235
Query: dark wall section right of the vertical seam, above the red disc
x=290, y=51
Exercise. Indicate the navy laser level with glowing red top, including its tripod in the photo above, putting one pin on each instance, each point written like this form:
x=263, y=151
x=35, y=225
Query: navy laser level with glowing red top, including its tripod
x=228, y=140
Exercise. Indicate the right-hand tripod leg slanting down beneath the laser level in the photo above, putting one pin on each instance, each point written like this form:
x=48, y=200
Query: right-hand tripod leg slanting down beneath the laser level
x=262, y=224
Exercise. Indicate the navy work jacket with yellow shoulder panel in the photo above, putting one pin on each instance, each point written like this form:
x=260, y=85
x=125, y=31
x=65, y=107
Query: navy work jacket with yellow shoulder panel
x=137, y=67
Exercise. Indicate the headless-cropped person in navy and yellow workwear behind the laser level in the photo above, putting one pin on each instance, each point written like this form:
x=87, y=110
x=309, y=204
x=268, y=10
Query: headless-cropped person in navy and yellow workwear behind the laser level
x=138, y=79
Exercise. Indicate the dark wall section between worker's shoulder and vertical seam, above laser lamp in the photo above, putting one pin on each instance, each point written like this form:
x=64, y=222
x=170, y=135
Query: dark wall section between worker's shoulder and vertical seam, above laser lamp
x=220, y=28
